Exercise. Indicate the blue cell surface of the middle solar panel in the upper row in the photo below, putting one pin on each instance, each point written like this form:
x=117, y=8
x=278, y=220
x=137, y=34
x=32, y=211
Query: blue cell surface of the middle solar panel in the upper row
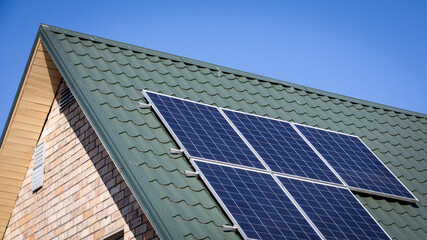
x=281, y=147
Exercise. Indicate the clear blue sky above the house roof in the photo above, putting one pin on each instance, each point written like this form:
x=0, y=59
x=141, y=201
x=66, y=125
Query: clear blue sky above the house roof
x=372, y=50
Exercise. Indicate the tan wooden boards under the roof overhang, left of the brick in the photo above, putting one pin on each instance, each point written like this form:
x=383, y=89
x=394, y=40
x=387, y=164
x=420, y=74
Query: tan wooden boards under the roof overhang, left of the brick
x=27, y=121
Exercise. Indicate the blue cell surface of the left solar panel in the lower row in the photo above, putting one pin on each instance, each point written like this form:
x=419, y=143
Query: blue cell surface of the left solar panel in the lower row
x=257, y=202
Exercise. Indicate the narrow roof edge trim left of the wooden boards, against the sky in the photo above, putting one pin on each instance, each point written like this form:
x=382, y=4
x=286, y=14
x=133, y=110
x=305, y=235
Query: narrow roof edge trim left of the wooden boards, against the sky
x=21, y=84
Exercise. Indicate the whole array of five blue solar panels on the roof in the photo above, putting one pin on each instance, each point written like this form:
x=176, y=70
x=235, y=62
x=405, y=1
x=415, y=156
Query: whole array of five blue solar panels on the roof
x=280, y=196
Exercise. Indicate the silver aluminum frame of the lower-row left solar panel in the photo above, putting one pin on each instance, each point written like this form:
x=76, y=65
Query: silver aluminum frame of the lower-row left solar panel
x=224, y=207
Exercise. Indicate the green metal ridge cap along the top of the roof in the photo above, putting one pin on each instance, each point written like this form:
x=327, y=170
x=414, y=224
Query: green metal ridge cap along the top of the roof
x=229, y=70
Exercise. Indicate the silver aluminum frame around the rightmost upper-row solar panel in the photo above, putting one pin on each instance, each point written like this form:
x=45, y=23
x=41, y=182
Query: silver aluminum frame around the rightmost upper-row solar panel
x=415, y=200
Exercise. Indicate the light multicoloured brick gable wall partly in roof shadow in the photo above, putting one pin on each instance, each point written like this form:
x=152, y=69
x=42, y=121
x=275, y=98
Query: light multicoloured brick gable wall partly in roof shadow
x=83, y=195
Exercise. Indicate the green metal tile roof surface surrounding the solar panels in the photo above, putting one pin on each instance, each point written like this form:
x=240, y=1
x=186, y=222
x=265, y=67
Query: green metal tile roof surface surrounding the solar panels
x=107, y=77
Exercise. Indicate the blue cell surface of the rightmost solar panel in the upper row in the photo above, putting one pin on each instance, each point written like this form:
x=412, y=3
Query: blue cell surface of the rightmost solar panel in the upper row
x=354, y=162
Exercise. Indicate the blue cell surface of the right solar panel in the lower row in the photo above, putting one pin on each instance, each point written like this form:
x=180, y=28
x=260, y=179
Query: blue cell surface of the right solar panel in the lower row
x=334, y=211
